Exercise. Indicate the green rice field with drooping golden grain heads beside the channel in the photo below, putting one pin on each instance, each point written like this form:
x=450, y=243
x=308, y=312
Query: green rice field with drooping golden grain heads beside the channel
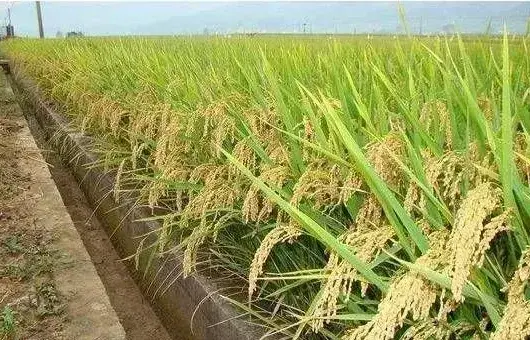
x=362, y=187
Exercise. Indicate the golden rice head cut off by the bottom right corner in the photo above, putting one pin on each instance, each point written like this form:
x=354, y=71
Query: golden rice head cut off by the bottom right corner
x=515, y=323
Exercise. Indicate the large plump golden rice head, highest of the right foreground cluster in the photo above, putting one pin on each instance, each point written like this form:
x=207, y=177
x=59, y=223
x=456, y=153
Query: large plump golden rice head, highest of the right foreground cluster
x=472, y=233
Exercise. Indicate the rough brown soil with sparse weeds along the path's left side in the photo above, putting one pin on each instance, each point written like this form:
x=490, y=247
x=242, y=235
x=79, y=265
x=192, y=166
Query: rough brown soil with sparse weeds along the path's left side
x=31, y=307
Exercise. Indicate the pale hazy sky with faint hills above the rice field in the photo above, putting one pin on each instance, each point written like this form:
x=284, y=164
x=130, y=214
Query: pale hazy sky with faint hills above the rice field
x=167, y=18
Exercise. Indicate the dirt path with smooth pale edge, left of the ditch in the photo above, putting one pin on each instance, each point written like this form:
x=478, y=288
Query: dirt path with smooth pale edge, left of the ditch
x=49, y=288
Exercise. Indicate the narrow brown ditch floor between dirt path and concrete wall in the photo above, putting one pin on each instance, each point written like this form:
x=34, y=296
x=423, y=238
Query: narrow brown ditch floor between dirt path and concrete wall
x=134, y=311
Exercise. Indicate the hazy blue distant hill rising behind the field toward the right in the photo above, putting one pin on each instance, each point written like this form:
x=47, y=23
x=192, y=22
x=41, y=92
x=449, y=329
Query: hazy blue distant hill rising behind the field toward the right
x=343, y=17
